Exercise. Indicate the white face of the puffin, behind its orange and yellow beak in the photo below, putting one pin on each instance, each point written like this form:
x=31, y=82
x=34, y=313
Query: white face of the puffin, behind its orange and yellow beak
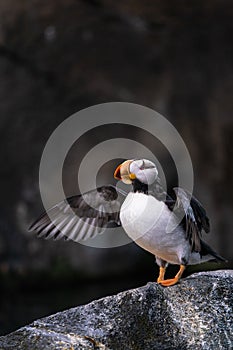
x=144, y=170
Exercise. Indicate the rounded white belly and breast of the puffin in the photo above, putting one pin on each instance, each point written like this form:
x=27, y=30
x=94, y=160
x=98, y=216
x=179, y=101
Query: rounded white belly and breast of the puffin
x=145, y=220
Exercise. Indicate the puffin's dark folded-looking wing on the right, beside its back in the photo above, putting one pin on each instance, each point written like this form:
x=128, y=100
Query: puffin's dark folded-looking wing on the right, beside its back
x=195, y=219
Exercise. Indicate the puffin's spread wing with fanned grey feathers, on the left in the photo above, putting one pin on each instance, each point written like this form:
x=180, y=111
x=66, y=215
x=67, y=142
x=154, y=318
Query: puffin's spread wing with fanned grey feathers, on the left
x=81, y=217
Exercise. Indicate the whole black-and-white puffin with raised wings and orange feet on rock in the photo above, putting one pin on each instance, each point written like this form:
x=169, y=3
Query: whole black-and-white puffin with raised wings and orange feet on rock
x=168, y=227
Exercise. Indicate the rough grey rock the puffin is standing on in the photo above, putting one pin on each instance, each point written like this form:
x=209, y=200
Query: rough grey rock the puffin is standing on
x=194, y=314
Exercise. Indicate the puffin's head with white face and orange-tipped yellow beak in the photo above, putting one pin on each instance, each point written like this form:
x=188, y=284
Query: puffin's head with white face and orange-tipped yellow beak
x=141, y=169
